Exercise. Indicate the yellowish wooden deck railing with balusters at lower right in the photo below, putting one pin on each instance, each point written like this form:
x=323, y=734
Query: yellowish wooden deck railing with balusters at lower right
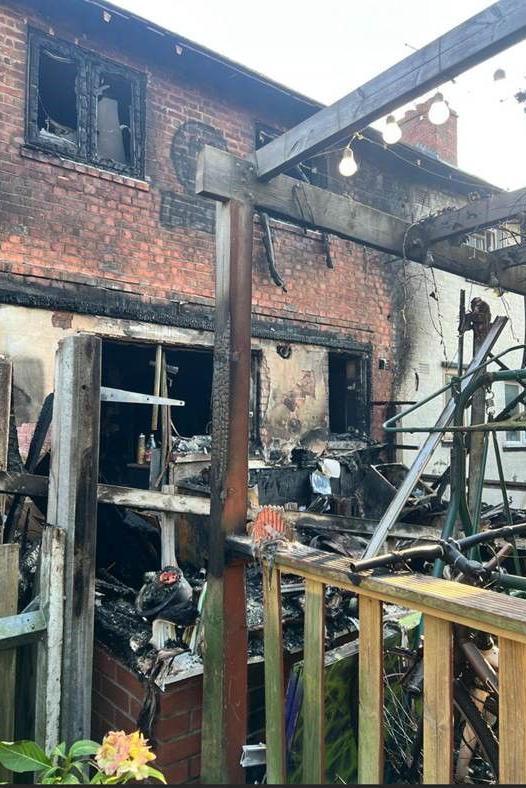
x=443, y=603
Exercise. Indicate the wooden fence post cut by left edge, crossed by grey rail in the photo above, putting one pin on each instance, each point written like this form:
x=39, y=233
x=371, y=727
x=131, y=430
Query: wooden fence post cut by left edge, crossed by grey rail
x=8, y=607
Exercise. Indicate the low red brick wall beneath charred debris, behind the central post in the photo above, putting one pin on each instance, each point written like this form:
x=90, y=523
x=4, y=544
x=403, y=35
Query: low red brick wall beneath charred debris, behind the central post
x=118, y=695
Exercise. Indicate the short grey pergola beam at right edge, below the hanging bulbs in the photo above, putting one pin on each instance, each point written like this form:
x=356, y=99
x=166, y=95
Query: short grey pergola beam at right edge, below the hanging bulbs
x=486, y=212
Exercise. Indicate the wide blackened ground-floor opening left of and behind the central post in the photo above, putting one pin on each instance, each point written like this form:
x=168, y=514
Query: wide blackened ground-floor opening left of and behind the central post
x=131, y=367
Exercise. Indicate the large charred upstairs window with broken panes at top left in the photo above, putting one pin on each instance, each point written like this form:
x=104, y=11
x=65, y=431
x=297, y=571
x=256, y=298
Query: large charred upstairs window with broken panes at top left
x=83, y=107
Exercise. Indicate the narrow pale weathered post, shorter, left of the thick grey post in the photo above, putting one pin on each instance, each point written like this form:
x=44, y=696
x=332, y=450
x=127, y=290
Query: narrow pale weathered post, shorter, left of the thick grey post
x=49, y=649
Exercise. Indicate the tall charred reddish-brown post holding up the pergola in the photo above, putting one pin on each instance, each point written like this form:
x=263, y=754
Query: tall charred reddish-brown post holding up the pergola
x=224, y=617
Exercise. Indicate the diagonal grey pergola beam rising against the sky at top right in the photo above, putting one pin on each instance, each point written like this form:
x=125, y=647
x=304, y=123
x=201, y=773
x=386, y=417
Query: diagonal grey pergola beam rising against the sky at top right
x=486, y=34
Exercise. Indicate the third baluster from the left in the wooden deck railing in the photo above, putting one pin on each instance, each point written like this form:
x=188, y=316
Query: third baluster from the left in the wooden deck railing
x=371, y=694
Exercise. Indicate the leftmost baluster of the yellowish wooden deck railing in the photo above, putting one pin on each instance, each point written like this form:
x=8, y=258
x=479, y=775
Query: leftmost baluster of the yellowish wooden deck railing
x=274, y=679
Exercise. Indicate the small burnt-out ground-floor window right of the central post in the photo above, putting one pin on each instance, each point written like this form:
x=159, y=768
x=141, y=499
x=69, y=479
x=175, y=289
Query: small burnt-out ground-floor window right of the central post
x=348, y=394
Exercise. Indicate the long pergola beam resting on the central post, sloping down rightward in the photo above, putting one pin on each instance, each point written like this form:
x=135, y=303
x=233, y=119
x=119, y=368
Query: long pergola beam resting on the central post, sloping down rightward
x=222, y=176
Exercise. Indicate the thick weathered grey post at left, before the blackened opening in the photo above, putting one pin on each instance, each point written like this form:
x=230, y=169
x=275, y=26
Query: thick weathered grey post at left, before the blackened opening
x=72, y=506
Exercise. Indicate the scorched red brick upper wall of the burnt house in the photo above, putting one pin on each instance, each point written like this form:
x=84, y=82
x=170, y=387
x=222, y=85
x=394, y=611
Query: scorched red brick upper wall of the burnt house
x=72, y=222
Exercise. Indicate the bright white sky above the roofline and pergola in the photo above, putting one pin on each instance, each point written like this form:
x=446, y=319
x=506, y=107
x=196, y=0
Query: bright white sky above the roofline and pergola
x=326, y=49
